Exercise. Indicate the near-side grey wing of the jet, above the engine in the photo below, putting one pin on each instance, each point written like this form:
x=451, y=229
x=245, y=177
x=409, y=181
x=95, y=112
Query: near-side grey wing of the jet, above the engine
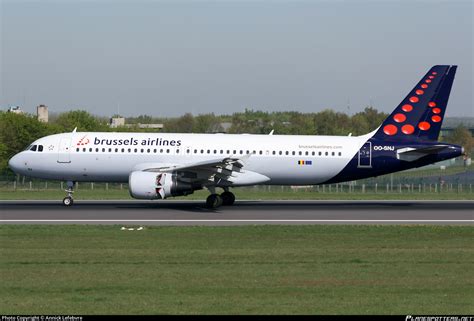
x=228, y=171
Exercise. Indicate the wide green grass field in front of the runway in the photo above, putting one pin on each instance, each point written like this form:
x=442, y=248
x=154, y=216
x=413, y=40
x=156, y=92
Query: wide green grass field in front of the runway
x=237, y=270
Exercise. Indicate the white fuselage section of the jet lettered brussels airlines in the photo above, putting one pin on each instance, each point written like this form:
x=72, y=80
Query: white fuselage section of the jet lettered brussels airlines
x=111, y=157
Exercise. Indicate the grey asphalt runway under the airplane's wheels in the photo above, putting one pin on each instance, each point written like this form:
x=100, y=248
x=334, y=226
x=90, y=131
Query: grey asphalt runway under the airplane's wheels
x=242, y=213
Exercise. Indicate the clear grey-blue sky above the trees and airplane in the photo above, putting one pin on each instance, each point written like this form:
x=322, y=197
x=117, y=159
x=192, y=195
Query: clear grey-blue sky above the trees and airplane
x=167, y=58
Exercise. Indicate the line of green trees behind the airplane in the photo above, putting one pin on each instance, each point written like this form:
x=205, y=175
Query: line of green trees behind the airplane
x=17, y=131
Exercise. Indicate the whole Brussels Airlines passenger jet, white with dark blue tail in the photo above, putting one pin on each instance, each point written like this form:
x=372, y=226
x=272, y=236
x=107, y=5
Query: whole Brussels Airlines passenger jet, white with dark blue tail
x=162, y=165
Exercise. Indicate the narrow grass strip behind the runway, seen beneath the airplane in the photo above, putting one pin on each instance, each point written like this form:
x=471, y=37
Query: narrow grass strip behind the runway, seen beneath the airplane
x=247, y=194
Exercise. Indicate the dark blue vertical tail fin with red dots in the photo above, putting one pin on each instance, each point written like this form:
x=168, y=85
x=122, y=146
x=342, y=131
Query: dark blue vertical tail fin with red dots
x=420, y=115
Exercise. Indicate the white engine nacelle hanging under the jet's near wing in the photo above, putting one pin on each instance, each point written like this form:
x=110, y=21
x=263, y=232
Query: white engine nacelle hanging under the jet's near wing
x=157, y=185
